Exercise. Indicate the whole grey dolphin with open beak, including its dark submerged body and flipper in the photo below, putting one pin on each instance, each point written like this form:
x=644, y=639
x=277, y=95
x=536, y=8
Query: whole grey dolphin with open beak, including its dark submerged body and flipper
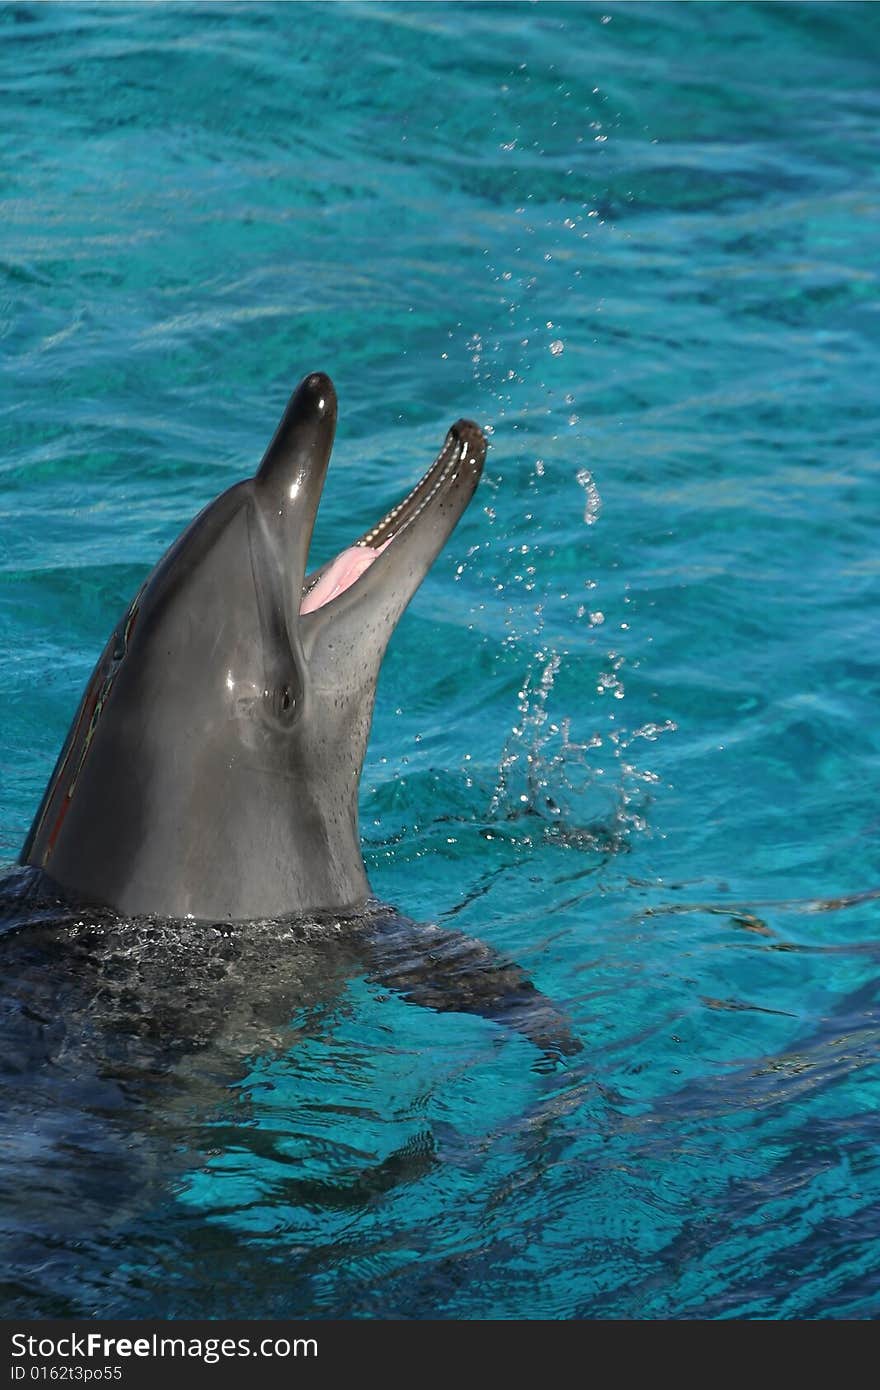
x=193, y=894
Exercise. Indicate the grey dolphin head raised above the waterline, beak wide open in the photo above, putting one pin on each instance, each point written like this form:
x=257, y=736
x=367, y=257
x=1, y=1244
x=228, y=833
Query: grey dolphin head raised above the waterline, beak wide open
x=215, y=762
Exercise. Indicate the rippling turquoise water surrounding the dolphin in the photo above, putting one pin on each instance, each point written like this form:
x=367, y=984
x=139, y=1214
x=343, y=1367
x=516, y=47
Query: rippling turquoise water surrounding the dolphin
x=628, y=732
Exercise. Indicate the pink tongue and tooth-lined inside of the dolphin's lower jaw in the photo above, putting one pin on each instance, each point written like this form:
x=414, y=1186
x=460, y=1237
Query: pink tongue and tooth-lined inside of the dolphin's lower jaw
x=462, y=458
